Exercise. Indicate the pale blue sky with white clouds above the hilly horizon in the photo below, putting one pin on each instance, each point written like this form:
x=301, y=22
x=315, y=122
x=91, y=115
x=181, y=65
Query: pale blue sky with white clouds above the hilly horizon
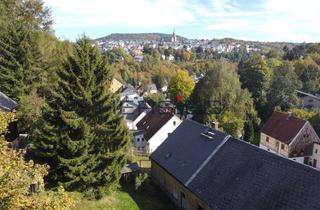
x=261, y=20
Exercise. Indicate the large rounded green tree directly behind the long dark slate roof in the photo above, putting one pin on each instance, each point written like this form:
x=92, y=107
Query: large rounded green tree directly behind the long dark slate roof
x=219, y=96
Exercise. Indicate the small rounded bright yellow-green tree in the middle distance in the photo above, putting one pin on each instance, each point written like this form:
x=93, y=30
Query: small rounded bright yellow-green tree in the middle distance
x=180, y=84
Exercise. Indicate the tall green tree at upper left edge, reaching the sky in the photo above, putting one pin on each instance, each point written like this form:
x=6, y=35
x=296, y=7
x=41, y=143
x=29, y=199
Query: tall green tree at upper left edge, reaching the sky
x=20, y=30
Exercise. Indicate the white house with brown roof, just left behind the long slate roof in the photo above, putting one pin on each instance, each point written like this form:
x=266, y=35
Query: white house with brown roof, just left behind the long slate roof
x=157, y=125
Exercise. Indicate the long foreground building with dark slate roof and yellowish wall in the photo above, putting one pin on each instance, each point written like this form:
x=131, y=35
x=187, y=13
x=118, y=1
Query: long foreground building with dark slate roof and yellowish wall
x=203, y=169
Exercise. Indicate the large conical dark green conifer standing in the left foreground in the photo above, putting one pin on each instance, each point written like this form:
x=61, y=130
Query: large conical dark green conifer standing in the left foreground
x=81, y=134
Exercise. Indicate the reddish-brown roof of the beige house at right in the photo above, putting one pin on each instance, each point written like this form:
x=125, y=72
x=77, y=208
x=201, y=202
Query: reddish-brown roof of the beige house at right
x=282, y=127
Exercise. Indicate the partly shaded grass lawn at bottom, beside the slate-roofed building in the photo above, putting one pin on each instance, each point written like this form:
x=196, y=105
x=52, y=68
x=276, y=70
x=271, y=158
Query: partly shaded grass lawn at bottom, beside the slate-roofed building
x=149, y=198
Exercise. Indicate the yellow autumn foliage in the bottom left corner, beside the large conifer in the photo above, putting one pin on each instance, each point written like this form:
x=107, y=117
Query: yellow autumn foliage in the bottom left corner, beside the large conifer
x=17, y=175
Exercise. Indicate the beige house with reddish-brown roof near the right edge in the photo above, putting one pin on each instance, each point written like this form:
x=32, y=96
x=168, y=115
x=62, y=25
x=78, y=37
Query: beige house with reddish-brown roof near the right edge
x=287, y=135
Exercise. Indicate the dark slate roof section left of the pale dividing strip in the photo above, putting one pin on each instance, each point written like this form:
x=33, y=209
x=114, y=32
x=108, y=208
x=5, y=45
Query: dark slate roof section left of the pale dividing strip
x=187, y=150
